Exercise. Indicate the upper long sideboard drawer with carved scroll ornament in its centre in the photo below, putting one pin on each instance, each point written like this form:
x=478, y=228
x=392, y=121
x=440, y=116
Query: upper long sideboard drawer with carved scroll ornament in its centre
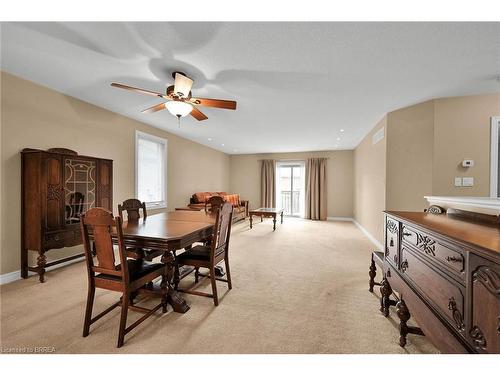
x=438, y=251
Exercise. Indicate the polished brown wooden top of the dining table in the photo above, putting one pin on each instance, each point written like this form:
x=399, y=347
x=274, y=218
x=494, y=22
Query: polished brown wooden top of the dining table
x=169, y=226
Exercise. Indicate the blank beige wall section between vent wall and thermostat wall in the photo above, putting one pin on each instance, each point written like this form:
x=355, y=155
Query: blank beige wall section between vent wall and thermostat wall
x=409, y=158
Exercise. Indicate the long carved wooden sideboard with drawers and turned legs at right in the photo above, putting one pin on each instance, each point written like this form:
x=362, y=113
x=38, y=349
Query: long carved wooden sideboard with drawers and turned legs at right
x=446, y=268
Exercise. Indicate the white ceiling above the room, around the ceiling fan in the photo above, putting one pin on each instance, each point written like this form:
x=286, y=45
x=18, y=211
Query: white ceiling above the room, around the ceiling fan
x=297, y=84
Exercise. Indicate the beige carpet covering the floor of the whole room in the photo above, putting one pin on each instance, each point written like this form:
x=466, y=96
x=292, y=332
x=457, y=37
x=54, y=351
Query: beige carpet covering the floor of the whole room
x=301, y=289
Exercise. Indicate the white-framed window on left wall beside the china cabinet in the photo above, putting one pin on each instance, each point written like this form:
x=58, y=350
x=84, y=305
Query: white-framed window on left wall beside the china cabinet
x=151, y=170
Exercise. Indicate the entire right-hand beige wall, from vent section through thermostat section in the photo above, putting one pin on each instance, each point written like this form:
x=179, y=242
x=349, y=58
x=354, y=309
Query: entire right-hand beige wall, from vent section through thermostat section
x=425, y=145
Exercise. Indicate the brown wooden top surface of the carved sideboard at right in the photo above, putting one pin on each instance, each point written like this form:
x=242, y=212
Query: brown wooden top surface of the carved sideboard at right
x=486, y=236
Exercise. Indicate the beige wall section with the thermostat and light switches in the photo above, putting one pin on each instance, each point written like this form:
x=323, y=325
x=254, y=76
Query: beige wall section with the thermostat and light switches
x=462, y=131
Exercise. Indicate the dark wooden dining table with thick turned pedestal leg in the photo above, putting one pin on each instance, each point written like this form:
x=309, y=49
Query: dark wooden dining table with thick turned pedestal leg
x=169, y=232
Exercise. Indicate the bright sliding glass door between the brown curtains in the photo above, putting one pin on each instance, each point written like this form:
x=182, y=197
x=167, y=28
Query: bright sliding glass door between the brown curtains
x=290, y=187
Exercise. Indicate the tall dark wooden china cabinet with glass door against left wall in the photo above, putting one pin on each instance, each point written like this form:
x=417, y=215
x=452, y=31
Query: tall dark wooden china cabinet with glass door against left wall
x=57, y=186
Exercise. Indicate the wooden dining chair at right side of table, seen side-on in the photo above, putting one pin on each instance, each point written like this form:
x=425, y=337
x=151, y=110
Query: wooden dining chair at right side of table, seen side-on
x=208, y=256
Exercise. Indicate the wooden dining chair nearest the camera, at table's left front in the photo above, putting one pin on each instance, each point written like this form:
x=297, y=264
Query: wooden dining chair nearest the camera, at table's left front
x=128, y=277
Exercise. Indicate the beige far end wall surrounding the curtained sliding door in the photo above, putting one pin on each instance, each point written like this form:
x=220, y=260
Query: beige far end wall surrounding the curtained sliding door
x=245, y=177
